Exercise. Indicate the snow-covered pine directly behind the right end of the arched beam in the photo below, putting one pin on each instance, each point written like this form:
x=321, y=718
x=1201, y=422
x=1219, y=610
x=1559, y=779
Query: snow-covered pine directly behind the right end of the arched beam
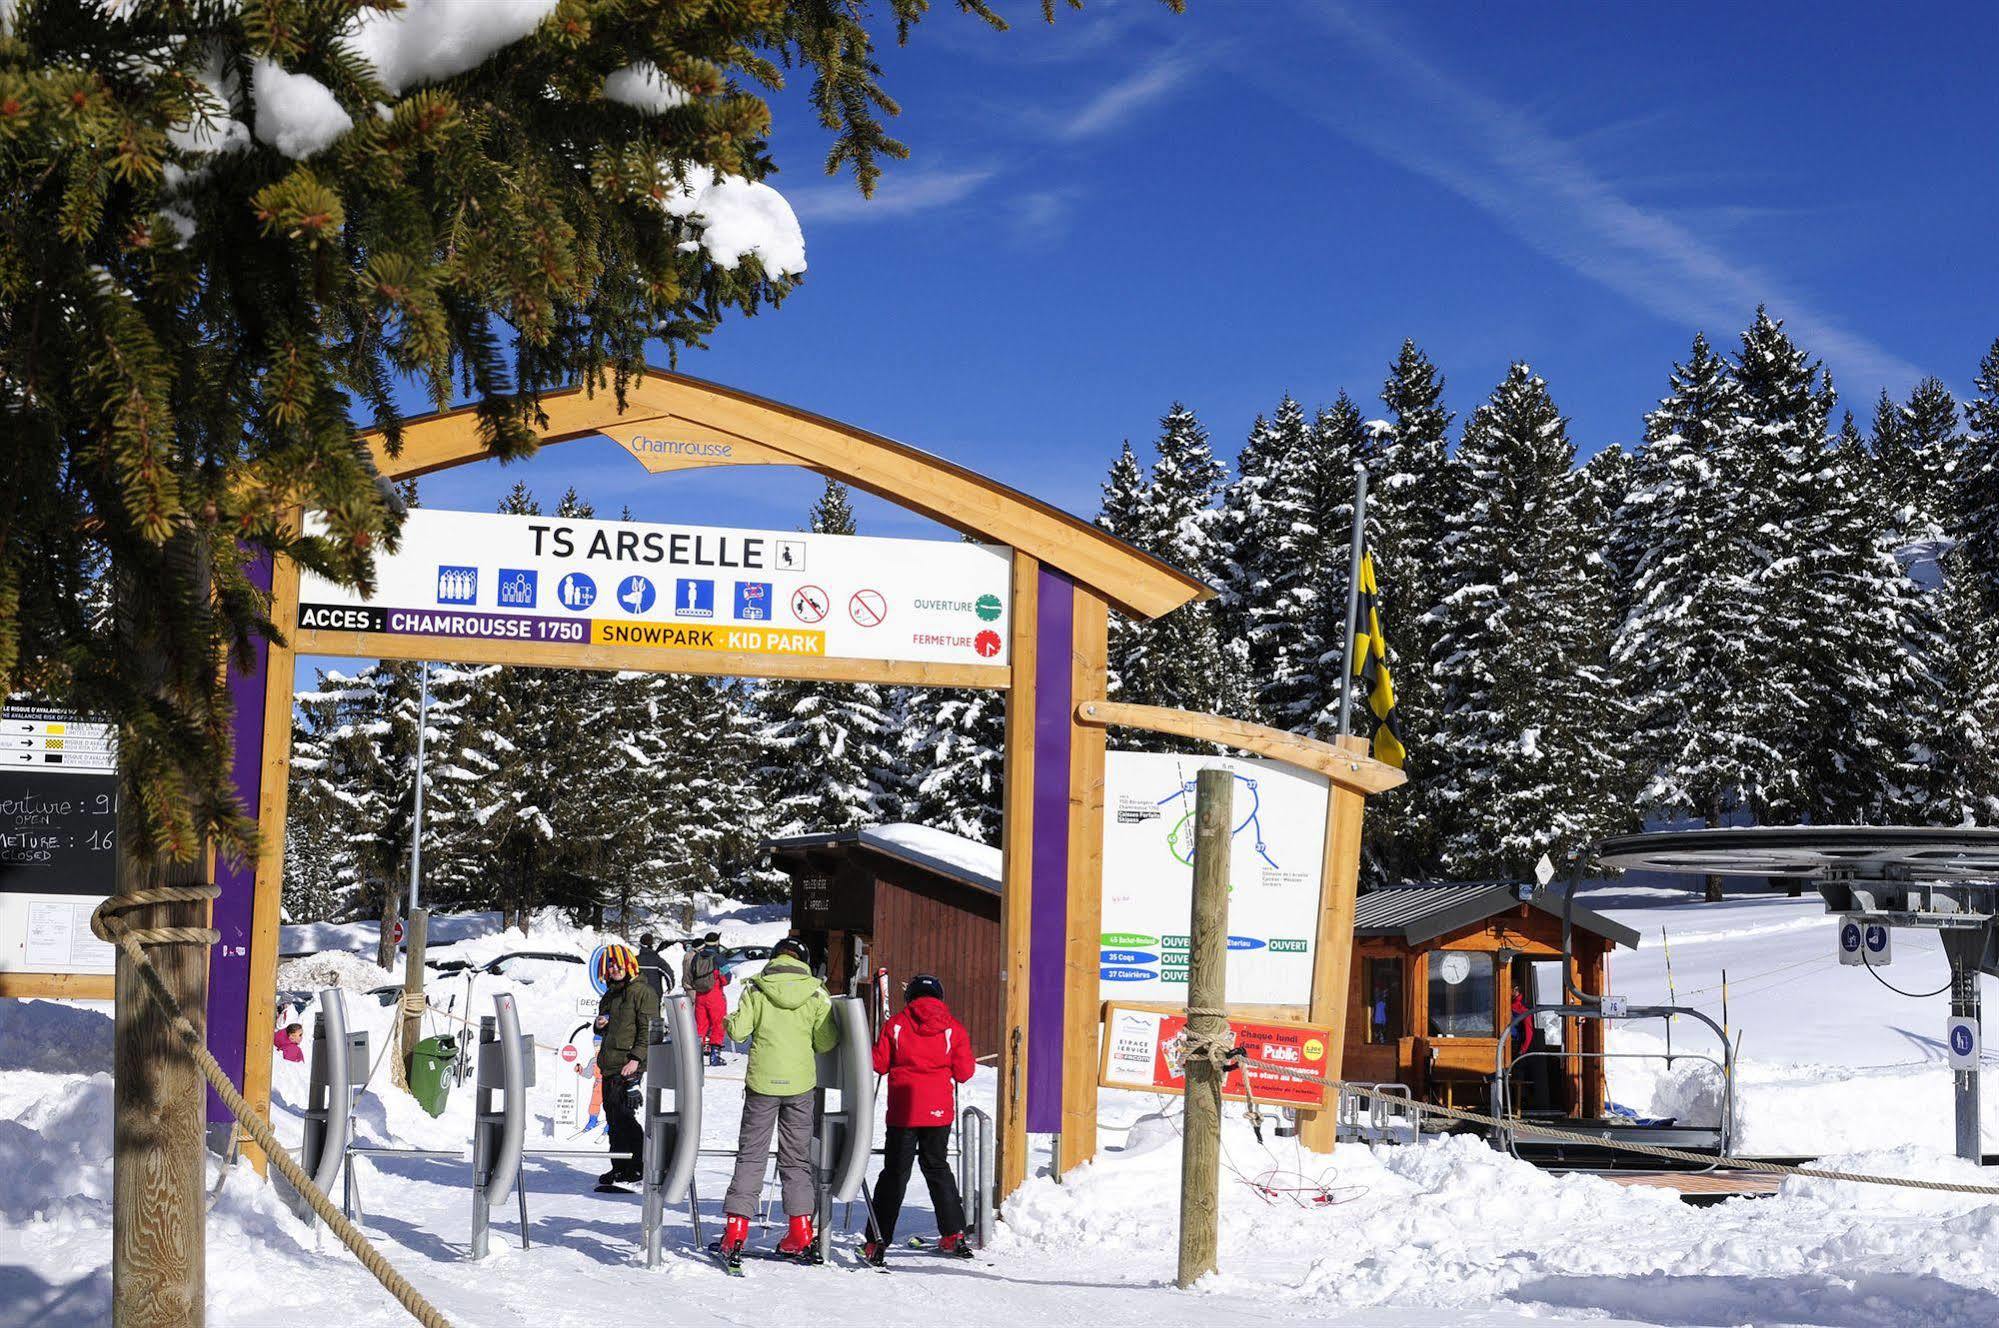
x=1180, y=659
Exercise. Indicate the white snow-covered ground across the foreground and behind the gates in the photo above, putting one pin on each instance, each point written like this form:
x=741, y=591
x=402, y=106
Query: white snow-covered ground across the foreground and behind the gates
x=1446, y=1233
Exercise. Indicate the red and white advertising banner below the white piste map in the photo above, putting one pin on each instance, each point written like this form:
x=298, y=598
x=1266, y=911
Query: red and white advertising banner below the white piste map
x=1142, y=1051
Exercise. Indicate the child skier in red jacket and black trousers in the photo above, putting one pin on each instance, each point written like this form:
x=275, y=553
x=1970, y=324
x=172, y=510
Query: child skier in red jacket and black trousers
x=925, y=1053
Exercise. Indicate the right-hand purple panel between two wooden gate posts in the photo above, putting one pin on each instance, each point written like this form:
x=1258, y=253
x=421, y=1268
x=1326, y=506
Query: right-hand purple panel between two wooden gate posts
x=1050, y=873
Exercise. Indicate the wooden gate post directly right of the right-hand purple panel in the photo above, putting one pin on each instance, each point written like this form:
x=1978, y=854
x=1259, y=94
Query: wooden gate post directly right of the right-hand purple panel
x=1082, y=1011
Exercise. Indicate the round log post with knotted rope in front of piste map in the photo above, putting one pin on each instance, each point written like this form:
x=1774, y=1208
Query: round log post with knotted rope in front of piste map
x=1200, y=1167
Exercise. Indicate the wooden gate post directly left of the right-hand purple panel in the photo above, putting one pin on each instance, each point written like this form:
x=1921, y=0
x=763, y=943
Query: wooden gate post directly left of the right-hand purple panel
x=1016, y=893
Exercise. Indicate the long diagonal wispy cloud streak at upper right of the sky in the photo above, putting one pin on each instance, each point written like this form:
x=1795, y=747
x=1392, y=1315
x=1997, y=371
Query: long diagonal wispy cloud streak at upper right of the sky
x=1546, y=193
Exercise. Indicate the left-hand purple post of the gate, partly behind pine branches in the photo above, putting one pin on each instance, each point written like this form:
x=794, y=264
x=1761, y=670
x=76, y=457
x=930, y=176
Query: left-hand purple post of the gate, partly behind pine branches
x=229, y=963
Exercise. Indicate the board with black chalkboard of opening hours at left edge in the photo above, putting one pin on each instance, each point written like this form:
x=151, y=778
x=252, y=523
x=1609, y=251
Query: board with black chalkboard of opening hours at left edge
x=59, y=821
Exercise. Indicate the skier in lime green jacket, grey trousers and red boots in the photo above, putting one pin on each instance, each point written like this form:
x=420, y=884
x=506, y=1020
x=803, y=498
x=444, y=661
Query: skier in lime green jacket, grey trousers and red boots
x=787, y=1017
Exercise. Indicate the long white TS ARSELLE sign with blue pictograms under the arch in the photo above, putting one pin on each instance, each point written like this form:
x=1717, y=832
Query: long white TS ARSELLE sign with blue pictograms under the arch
x=591, y=583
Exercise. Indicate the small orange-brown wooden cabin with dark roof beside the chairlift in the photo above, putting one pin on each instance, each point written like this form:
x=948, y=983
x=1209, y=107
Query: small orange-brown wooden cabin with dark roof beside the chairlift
x=1432, y=991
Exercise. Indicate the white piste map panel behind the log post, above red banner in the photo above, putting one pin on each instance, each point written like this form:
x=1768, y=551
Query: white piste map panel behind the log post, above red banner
x=1276, y=861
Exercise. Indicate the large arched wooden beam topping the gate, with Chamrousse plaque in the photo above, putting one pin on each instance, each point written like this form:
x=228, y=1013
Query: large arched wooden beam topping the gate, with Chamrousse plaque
x=673, y=421
